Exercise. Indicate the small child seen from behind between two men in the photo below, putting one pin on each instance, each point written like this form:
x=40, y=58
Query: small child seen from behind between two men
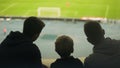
x=64, y=47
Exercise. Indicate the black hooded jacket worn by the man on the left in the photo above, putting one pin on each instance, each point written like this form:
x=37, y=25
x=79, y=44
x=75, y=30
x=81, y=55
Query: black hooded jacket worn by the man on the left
x=18, y=51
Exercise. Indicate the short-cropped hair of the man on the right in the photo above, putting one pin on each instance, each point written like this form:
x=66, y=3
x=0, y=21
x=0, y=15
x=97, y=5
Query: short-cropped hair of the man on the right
x=93, y=30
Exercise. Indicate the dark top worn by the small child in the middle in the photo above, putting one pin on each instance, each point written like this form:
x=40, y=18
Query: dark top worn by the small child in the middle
x=70, y=62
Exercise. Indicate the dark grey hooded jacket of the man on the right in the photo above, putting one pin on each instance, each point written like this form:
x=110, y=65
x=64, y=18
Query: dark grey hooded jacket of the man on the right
x=105, y=55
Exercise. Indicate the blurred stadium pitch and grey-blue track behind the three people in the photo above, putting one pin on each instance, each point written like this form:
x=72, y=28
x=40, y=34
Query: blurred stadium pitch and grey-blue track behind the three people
x=62, y=17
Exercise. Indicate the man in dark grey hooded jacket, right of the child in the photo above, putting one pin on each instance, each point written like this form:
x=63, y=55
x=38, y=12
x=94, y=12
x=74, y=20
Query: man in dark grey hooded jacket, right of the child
x=104, y=48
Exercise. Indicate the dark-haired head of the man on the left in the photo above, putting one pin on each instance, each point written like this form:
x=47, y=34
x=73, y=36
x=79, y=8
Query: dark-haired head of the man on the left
x=32, y=27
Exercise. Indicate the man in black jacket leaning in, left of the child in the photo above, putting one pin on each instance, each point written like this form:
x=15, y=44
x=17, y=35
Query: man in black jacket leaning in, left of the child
x=18, y=50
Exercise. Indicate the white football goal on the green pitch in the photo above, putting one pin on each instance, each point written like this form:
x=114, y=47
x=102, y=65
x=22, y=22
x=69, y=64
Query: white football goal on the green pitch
x=49, y=12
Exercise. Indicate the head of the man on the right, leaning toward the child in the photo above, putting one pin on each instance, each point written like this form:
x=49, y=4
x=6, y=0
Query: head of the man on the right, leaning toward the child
x=94, y=32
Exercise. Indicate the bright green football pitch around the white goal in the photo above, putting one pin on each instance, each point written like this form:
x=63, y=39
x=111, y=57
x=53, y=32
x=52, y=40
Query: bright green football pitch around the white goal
x=68, y=8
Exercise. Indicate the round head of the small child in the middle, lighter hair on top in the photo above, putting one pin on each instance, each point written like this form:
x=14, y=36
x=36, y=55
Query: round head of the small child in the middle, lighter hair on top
x=64, y=46
